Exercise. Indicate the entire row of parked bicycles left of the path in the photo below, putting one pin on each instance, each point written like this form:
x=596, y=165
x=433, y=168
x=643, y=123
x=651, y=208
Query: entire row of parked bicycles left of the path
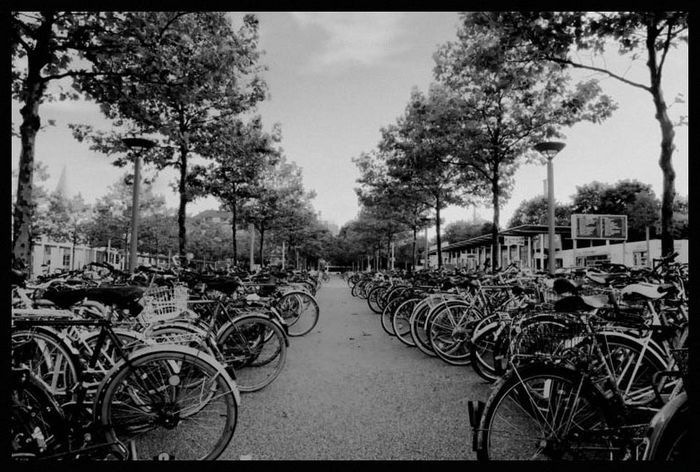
x=149, y=365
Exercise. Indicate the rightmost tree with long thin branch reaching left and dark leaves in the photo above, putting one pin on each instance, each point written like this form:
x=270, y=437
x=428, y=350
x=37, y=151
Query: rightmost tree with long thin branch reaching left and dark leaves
x=557, y=37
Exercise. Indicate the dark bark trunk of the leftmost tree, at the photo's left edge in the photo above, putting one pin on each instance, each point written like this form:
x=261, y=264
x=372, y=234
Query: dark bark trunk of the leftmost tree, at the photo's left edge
x=34, y=90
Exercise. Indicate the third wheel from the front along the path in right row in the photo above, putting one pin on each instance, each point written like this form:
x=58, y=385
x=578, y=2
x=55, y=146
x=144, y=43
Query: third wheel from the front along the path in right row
x=450, y=329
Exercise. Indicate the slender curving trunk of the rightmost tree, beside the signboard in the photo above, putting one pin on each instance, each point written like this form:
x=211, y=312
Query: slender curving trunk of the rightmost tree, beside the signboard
x=667, y=146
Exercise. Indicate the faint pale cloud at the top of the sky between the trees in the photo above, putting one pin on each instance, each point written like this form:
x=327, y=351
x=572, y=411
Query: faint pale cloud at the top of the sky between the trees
x=364, y=38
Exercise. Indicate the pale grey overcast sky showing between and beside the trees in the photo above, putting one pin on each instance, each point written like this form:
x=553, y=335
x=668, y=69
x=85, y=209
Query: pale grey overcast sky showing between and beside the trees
x=336, y=78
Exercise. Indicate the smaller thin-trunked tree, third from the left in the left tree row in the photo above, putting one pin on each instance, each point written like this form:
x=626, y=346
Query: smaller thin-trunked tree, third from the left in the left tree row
x=241, y=152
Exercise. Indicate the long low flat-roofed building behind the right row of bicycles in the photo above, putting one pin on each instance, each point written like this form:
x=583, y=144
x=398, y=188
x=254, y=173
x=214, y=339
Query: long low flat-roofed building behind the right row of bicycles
x=527, y=246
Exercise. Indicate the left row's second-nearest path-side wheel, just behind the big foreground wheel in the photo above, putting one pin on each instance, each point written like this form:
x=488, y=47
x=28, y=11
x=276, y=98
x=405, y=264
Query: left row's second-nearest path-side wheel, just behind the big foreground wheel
x=256, y=348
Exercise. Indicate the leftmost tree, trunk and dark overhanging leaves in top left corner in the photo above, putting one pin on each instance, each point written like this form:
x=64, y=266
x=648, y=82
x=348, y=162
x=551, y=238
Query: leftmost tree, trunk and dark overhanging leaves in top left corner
x=44, y=47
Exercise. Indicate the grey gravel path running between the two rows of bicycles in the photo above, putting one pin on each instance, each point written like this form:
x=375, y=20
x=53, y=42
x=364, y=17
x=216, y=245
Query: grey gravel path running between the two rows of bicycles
x=351, y=392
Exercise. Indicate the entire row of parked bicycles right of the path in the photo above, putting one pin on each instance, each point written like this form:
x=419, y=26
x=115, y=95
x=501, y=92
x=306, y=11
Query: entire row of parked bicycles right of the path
x=587, y=365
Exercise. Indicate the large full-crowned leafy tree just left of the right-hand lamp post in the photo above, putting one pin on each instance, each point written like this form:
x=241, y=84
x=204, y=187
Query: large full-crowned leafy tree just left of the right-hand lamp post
x=504, y=104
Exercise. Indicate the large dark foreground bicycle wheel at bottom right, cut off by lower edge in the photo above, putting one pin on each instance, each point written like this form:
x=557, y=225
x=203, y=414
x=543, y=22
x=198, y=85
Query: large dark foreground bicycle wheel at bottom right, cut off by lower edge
x=544, y=412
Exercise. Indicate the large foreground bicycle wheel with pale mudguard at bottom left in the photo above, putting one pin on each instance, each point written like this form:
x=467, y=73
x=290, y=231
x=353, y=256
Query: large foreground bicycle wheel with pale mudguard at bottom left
x=170, y=400
